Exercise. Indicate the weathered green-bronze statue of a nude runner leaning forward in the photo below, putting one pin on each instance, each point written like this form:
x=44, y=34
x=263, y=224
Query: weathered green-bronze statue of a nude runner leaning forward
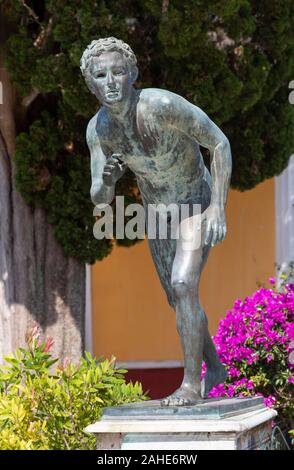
x=157, y=133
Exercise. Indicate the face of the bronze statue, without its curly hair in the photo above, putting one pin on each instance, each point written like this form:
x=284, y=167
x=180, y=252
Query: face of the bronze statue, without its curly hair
x=111, y=77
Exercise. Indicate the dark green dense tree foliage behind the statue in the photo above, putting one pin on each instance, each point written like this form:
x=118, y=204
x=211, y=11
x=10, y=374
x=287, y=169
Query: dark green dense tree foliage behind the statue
x=234, y=59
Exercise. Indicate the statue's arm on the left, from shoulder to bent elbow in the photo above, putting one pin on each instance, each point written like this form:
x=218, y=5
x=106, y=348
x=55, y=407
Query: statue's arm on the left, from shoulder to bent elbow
x=100, y=193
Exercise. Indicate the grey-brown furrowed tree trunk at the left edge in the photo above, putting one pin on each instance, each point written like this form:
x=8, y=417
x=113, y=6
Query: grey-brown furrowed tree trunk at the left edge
x=37, y=281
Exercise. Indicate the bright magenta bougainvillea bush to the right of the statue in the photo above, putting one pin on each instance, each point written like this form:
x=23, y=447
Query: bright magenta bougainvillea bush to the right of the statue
x=255, y=340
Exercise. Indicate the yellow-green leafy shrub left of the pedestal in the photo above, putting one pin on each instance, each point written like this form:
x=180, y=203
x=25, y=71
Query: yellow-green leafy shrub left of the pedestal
x=44, y=405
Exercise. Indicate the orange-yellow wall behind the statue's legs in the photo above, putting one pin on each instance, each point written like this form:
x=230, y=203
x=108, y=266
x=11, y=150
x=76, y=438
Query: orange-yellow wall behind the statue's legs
x=131, y=317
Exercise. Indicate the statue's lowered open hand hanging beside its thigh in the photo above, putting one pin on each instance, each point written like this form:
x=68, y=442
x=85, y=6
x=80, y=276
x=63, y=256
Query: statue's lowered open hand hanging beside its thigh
x=215, y=224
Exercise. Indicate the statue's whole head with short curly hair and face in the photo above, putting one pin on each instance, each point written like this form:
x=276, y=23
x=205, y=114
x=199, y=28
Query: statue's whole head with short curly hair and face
x=109, y=68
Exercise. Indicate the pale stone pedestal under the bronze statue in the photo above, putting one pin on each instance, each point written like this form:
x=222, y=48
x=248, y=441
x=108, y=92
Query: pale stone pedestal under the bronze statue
x=211, y=424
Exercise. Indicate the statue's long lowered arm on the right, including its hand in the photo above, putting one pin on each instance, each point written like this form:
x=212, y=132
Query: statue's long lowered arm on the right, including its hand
x=197, y=125
